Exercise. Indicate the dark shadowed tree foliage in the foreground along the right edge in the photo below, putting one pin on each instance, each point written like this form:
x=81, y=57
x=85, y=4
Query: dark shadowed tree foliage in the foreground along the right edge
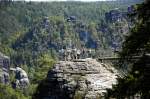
x=136, y=44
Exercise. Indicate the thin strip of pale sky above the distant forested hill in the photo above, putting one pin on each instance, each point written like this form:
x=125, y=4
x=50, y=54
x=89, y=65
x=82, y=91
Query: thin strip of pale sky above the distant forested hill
x=66, y=0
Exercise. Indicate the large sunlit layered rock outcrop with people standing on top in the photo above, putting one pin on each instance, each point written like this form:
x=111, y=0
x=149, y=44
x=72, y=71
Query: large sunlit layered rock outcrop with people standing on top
x=86, y=78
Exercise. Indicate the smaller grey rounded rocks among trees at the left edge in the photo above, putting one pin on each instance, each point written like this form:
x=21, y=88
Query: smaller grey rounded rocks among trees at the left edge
x=21, y=77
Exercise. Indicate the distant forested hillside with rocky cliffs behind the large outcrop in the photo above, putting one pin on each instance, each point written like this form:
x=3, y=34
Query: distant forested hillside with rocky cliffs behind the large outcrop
x=32, y=33
